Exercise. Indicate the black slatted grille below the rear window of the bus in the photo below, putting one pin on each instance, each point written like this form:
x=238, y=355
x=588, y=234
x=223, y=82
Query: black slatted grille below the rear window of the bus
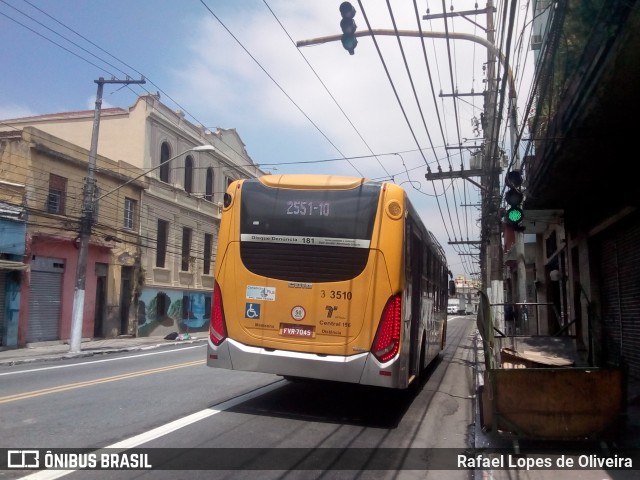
x=303, y=263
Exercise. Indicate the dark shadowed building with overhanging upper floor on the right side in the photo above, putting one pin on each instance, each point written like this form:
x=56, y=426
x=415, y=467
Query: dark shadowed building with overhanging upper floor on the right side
x=581, y=206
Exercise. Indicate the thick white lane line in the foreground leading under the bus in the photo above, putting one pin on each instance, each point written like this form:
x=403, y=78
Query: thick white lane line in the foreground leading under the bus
x=165, y=429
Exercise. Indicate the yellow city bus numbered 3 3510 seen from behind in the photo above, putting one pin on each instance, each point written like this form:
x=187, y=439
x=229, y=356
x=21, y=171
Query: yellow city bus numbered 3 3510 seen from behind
x=326, y=277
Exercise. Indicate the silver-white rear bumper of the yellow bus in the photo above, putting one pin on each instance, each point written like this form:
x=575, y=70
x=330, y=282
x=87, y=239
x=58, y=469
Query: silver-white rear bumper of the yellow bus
x=361, y=368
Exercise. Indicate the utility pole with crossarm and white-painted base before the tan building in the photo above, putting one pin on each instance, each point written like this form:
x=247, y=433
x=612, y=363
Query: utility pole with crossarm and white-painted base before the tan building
x=77, y=318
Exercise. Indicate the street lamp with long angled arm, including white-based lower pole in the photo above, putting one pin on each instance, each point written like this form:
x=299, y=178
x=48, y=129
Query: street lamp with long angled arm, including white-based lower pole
x=77, y=318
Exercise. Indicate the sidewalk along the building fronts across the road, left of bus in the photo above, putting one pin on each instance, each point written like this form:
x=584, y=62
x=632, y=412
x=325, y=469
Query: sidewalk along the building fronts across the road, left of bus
x=46, y=351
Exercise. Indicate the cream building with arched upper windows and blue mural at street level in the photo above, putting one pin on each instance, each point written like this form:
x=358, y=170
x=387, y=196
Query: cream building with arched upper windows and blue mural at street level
x=177, y=216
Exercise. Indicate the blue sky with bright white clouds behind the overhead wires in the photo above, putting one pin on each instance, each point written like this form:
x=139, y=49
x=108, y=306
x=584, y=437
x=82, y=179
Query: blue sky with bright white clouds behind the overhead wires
x=384, y=113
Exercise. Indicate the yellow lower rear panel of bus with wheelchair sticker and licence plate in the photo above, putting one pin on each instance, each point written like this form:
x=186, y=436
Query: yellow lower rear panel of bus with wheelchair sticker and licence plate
x=340, y=316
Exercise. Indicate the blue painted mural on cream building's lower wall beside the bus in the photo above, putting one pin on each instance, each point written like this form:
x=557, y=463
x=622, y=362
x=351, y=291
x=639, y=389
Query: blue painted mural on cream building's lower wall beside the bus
x=161, y=312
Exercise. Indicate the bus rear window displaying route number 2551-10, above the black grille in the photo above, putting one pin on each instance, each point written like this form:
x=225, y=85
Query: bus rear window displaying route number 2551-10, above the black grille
x=336, y=217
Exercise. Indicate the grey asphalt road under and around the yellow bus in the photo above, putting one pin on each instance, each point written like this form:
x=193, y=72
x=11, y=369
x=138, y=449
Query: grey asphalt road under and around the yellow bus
x=169, y=399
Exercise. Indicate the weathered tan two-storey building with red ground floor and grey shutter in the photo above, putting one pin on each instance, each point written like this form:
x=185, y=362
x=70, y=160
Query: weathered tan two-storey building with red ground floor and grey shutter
x=44, y=179
